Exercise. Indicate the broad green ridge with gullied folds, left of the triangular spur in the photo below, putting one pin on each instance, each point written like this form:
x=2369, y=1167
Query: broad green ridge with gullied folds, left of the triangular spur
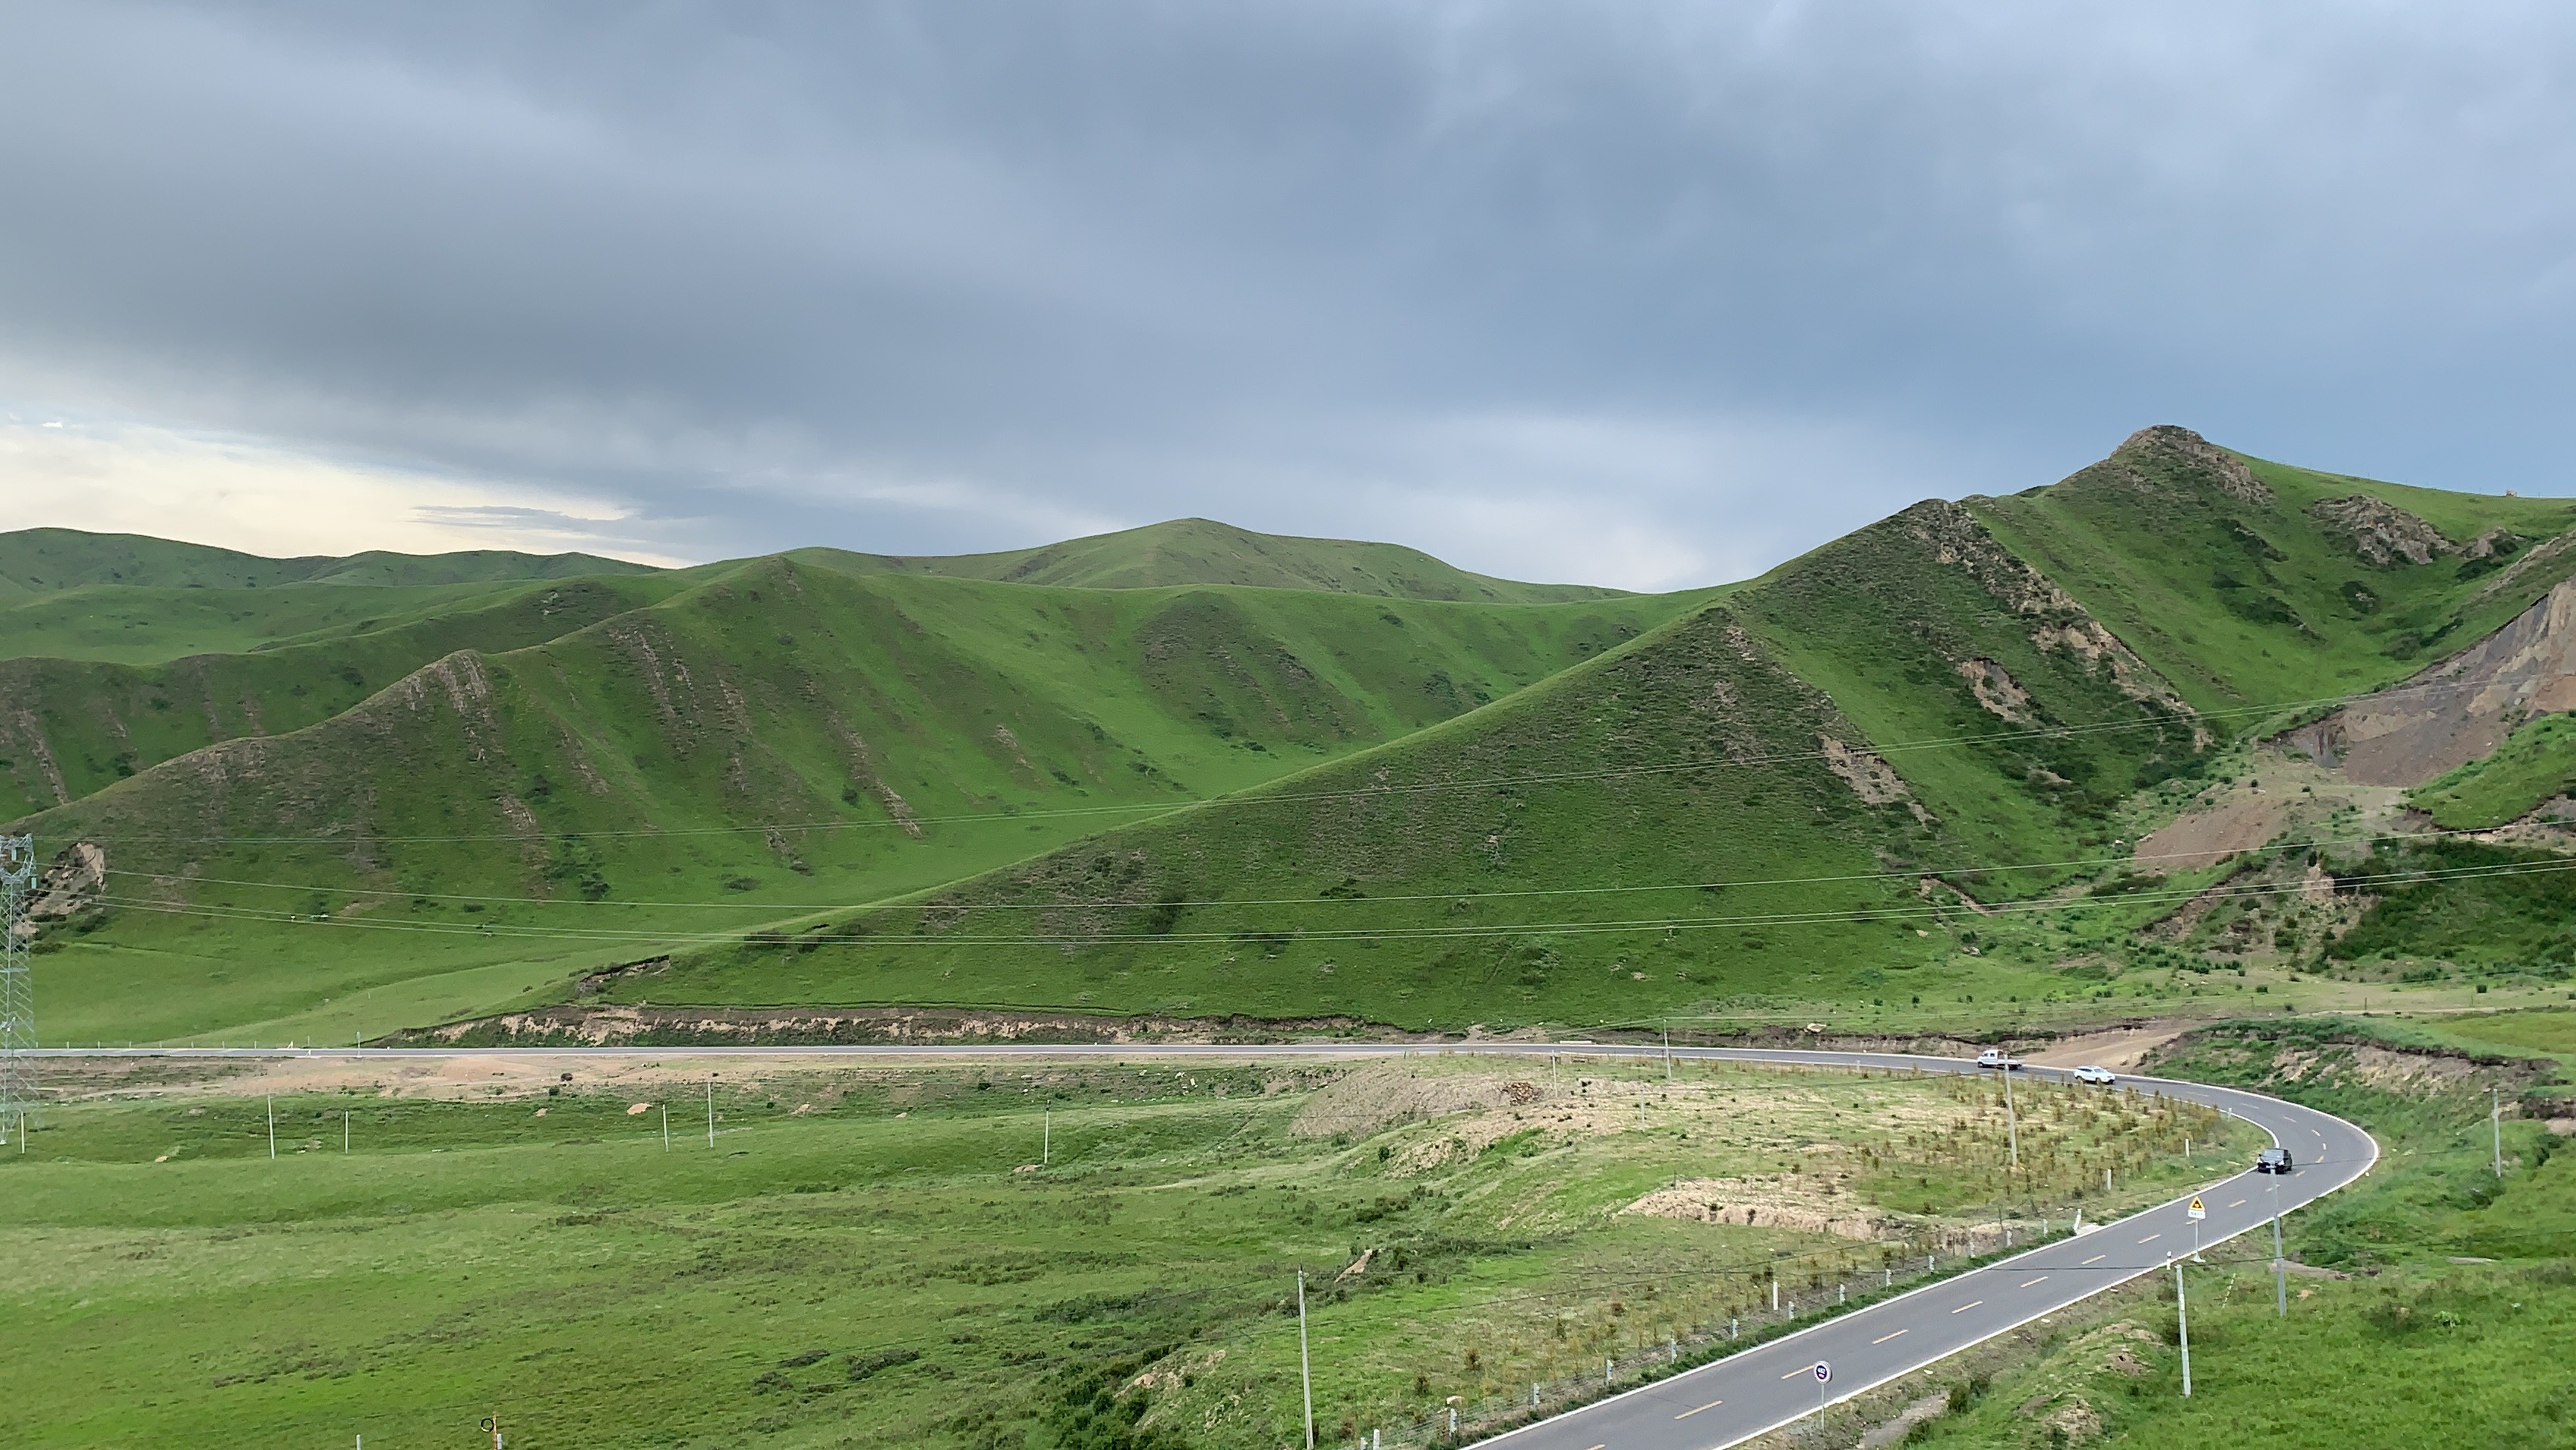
x=772, y=735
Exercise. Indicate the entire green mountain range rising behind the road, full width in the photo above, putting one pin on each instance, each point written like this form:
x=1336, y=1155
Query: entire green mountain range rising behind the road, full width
x=1197, y=771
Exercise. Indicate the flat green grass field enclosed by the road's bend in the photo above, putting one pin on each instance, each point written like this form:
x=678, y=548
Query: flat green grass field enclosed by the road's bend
x=880, y=1258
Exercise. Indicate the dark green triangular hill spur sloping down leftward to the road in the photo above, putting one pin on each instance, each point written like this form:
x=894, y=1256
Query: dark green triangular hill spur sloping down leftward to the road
x=1534, y=859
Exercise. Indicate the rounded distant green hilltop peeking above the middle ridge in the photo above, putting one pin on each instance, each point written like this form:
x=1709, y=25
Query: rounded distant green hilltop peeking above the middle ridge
x=1204, y=552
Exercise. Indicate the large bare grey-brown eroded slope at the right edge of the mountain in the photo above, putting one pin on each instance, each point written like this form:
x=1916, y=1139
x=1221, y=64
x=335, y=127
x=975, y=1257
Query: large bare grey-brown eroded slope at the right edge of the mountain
x=2461, y=710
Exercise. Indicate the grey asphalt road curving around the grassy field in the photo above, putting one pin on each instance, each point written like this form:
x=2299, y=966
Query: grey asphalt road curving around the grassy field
x=1774, y=1384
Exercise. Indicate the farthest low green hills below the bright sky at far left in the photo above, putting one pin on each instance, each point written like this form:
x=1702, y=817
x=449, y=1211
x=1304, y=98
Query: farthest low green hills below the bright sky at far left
x=48, y=560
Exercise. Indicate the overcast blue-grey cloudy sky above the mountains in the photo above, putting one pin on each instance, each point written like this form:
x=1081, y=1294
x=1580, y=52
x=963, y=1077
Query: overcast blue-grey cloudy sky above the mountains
x=1619, y=292
